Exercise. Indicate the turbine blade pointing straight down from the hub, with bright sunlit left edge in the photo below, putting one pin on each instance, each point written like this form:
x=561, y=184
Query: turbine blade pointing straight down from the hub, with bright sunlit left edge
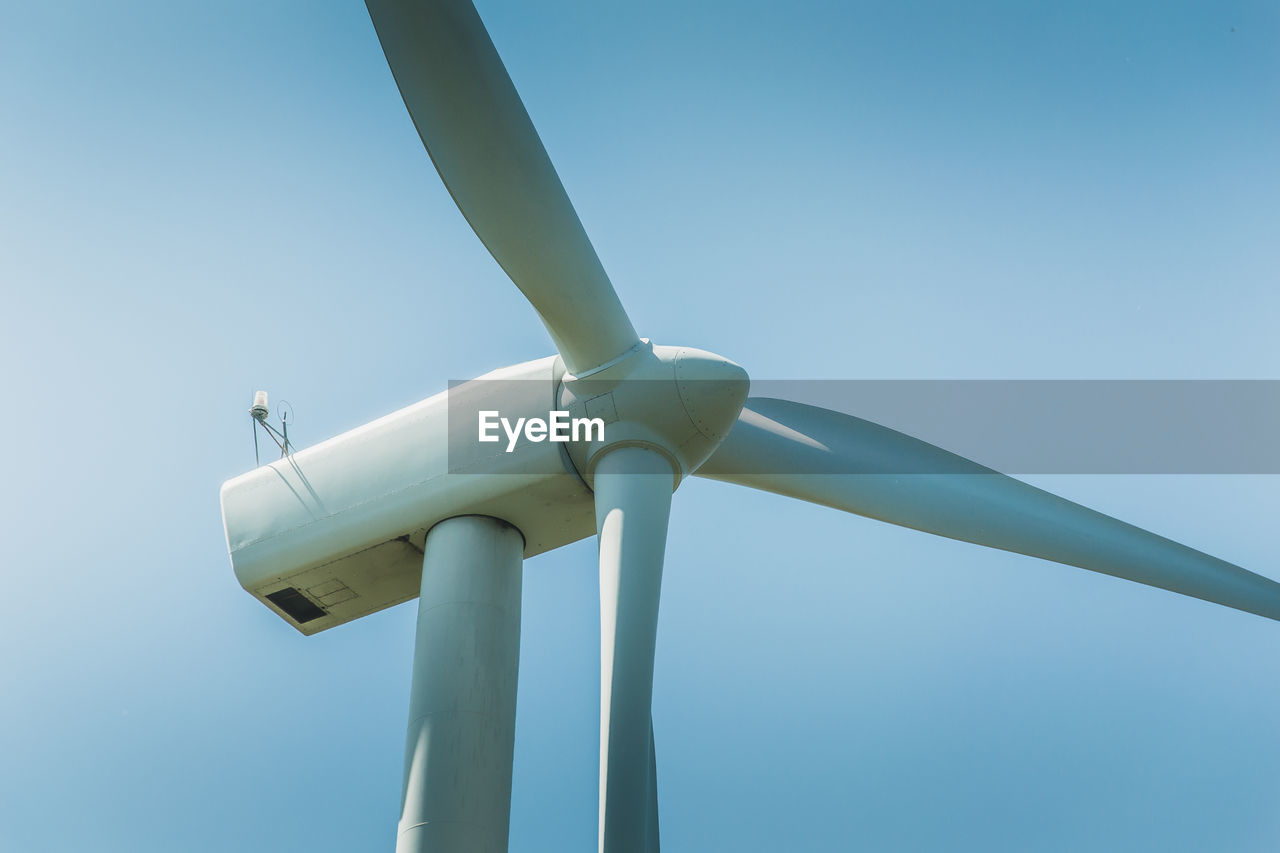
x=633, y=507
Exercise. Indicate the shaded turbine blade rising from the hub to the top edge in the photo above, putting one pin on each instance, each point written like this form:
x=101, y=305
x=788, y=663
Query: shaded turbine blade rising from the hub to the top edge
x=490, y=157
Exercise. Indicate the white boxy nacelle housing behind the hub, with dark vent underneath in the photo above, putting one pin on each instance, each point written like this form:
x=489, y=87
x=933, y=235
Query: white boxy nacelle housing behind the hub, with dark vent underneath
x=335, y=532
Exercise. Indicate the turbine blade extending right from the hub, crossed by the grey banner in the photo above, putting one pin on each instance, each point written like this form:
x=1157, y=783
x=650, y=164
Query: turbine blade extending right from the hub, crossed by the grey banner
x=852, y=464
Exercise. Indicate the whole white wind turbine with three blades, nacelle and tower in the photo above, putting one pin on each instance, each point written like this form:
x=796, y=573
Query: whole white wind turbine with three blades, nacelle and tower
x=415, y=504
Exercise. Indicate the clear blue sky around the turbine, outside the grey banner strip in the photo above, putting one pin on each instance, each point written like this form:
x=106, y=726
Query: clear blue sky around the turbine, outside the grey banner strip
x=198, y=200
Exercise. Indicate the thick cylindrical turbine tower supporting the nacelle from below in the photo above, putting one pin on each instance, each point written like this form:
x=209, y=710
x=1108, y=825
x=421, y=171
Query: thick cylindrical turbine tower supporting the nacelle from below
x=463, y=704
